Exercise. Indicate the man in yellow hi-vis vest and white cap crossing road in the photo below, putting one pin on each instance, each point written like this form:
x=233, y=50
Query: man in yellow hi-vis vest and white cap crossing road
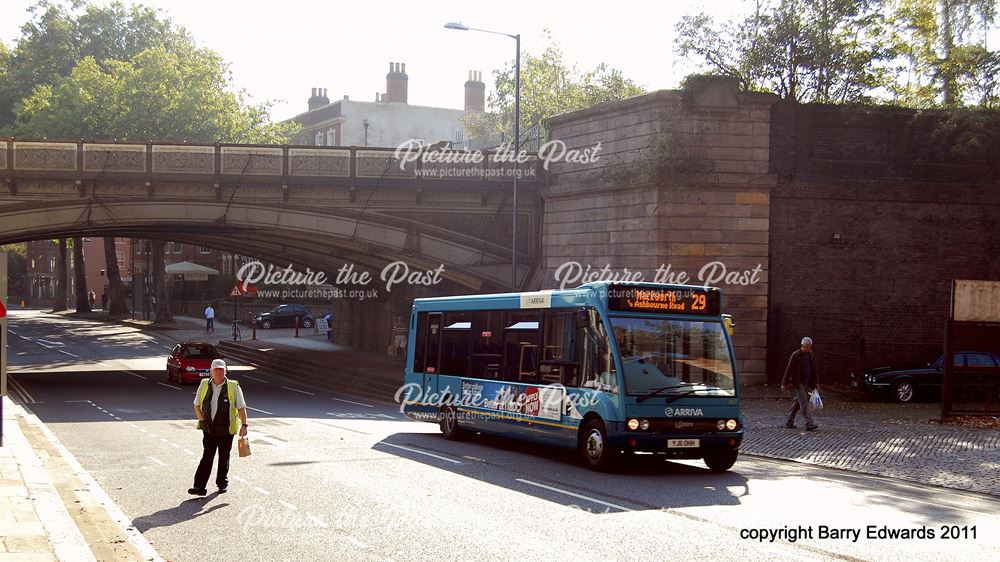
x=222, y=413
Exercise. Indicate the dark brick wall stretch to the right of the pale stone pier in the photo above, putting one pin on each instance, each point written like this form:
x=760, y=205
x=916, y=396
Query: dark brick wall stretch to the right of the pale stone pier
x=872, y=218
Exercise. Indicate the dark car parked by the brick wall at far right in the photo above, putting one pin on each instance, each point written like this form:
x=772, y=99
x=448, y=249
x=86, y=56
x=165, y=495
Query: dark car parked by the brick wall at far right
x=977, y=369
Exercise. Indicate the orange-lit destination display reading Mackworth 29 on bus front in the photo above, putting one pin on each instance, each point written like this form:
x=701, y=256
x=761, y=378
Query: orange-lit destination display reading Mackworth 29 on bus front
x=695, y=301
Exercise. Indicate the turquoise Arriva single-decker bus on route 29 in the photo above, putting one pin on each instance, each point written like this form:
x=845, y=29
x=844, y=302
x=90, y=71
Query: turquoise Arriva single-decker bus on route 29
x=611, y=369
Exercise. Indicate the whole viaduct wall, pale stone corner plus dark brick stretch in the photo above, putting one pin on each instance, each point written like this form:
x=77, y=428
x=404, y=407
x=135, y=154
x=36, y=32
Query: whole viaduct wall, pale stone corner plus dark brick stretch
x=850, y=222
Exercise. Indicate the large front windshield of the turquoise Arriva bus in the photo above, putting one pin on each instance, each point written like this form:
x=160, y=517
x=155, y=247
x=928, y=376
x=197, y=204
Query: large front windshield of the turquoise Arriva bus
x=674, y=356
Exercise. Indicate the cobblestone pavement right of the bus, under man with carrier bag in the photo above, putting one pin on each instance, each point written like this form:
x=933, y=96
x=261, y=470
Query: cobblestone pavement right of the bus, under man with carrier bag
x=893, y=440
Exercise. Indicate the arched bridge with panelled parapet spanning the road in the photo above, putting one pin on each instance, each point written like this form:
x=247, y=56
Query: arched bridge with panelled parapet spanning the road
x=315, y=207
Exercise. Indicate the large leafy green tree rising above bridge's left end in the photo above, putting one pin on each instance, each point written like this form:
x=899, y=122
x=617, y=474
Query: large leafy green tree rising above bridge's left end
x=126, y=74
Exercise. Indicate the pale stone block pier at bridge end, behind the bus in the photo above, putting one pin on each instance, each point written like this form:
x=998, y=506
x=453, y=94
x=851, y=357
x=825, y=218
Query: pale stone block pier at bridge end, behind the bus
x=682, y=181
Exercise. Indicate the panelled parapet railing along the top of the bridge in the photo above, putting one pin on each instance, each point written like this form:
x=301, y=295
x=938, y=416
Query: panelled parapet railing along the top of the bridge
x=81, y=160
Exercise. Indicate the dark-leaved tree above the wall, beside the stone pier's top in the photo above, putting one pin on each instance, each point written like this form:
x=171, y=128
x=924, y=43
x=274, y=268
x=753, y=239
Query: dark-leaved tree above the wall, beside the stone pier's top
x=827, y=51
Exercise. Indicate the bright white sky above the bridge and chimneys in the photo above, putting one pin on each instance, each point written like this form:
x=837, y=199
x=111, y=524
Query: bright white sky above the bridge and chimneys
x=280, y=50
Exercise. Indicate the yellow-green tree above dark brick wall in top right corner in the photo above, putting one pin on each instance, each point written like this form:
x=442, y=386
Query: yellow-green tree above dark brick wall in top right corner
x=946, y=66
